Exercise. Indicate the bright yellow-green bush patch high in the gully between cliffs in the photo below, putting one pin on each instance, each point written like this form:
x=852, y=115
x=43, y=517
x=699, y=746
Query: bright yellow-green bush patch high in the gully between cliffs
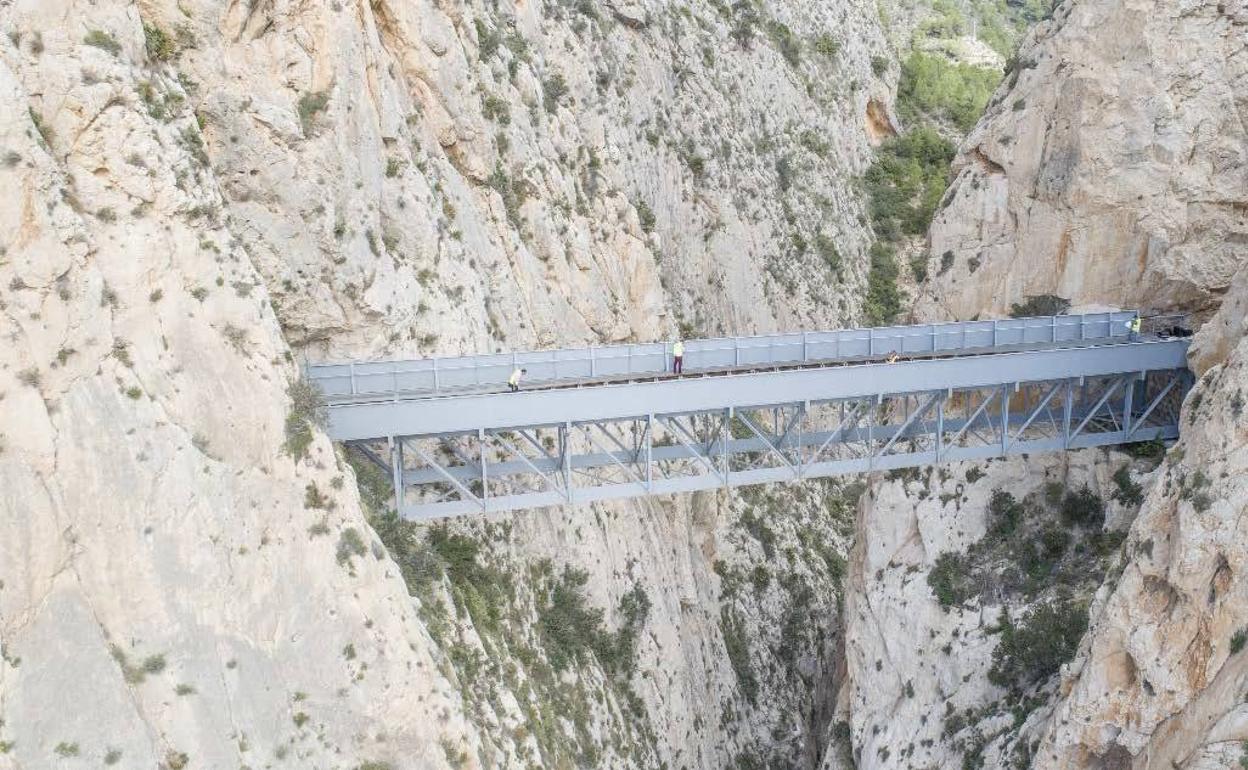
x=934, y=87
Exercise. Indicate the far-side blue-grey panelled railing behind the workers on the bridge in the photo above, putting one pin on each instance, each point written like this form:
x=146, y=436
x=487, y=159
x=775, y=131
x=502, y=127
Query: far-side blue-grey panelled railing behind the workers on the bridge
x=430, y=376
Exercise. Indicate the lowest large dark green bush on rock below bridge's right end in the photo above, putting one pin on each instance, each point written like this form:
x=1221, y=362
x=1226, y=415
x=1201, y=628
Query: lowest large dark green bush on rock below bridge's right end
x=1038, y=647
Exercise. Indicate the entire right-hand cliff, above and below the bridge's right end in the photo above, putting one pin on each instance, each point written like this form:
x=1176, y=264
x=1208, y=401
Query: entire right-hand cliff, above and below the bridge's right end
x=1108, y=172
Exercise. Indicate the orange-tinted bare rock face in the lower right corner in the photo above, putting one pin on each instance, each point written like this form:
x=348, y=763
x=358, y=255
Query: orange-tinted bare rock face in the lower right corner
x=1161, y=675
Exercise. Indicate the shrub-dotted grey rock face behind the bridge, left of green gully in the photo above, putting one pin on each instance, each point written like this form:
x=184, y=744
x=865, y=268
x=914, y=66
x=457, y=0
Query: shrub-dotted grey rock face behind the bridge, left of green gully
x=421, y=179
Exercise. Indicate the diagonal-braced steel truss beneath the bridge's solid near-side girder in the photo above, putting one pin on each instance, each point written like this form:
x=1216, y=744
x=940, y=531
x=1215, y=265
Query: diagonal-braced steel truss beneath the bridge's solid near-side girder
x=531, y=466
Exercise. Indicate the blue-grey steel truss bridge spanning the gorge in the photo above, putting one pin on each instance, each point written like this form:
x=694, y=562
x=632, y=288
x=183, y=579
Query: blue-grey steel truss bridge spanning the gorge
x=613, y=422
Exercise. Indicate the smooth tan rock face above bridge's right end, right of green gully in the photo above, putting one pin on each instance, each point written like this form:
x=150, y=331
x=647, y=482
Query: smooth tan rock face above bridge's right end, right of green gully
x=1110, y=169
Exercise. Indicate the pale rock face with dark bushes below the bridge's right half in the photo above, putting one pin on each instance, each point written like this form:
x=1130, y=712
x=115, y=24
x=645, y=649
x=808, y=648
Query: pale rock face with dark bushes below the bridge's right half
x=918, y=688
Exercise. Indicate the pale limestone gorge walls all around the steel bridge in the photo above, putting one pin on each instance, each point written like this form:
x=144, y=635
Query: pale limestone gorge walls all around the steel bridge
x=202, y=195
